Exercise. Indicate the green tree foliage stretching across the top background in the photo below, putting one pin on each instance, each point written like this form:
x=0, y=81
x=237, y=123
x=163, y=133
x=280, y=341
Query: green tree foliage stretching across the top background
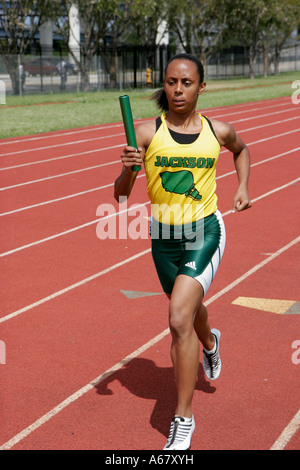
x=199, y=26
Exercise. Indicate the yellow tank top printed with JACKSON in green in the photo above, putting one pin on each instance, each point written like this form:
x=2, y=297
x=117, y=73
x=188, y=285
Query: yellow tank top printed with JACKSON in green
x=181, y=178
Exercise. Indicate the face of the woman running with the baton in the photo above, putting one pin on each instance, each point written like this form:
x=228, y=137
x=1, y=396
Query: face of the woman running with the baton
x=182, y=85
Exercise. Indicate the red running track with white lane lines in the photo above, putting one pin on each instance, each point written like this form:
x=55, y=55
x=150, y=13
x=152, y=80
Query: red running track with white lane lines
x=85, y=367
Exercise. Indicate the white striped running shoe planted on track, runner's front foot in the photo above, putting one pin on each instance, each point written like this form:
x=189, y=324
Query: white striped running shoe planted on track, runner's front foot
x=181, y=432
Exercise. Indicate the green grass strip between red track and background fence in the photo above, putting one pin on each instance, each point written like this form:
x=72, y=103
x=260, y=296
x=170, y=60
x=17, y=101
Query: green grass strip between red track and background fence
x=29, y=115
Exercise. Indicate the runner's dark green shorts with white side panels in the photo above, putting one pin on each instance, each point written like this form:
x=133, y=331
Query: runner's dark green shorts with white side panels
x=198, y=257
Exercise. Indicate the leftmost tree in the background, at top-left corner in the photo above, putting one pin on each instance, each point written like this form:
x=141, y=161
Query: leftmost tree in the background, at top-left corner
x=20, y=21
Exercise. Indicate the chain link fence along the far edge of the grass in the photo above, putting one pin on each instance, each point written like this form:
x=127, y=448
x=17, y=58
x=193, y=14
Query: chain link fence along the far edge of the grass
x=124, y=67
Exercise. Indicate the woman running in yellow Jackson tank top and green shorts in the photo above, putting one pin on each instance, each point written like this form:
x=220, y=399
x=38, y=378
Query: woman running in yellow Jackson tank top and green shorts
x=180, y=150
